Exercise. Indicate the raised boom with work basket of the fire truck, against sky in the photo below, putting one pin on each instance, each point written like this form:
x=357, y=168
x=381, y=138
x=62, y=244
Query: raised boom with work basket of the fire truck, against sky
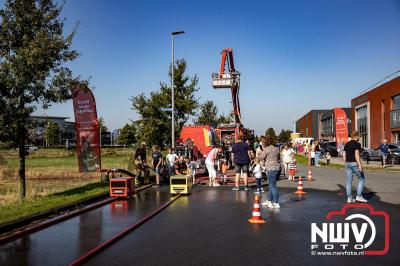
x=229, y=78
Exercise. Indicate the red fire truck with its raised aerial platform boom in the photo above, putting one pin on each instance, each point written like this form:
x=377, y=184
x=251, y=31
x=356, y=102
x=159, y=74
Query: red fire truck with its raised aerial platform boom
x=199, y=140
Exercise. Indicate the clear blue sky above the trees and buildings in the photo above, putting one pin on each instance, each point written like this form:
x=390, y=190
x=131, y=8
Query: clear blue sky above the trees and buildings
x=293, y=55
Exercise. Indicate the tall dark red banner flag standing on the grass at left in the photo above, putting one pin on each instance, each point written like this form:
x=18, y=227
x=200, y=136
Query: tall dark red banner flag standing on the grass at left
x=87, y=130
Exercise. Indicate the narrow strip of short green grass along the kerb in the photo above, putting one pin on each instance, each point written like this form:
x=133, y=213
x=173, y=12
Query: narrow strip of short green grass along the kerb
x=16, y=210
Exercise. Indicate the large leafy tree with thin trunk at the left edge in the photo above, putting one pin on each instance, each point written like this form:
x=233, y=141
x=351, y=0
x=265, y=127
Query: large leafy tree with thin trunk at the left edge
x=33, y=53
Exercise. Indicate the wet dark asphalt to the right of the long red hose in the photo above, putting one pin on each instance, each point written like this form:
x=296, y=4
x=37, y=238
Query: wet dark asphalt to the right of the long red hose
x=210, y=227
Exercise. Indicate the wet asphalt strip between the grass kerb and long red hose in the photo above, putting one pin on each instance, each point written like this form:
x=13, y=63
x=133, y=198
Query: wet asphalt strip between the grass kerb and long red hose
x=62, y=243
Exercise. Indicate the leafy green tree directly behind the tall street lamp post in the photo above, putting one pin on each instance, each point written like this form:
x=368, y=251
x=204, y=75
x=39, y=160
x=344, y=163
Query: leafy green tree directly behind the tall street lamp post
x=154, y=125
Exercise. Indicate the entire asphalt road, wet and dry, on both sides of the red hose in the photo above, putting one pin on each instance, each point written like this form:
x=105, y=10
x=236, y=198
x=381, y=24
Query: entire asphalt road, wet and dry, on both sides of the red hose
x=210, y=227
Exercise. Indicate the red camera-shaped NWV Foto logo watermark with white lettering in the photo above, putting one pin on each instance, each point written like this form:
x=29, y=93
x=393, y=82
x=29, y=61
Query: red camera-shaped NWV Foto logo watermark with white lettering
x=356, y=229
